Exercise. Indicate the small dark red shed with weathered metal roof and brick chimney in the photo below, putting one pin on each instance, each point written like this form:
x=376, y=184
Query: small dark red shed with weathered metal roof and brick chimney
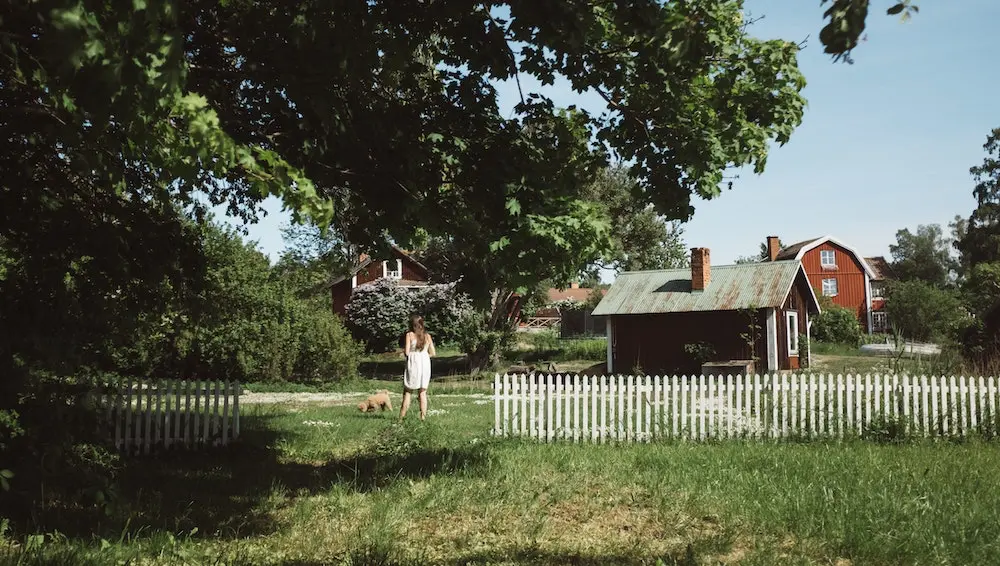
x=673, y=321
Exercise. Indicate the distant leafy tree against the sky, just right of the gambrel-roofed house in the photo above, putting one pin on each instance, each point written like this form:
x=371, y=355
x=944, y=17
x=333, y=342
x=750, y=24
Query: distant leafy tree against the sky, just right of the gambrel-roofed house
x=924, y=256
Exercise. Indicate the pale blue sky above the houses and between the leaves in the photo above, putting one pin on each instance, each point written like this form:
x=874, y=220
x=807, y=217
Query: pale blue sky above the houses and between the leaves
x=885, y=144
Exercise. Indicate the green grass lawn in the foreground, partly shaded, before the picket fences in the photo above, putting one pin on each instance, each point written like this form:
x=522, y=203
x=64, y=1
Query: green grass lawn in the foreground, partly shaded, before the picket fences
x=310, y=484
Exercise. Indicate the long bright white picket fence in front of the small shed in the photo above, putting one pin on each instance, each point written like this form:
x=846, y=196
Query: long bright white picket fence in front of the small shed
x=638, y=409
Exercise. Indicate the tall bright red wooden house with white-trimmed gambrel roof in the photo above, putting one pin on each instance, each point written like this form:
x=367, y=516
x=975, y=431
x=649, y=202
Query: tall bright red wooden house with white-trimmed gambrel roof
x=840, y=272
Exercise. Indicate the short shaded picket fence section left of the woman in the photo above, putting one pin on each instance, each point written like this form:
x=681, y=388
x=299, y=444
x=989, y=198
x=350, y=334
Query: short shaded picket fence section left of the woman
x=143, y=415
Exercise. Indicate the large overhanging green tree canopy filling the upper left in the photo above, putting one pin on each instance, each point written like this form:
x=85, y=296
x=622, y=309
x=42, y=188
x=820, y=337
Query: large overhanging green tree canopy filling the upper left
x=116, y=119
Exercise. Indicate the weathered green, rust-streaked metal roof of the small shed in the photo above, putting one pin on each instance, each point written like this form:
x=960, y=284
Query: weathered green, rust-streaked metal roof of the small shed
x=731, y=287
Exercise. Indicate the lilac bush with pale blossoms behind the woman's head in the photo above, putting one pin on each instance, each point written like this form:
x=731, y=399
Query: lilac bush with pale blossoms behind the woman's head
x=379, y=313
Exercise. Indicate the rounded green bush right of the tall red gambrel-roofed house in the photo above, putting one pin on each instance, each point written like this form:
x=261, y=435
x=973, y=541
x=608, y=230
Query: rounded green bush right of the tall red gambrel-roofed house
x=921, y=311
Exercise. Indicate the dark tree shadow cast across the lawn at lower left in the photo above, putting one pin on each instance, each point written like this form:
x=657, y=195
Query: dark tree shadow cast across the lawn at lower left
x=227, y=492
